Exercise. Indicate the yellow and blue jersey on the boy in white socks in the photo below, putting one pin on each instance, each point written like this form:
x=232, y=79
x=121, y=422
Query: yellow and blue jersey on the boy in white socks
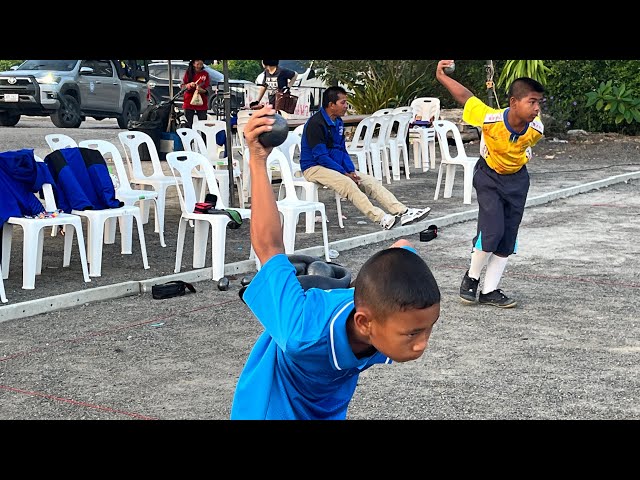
x=504, y=149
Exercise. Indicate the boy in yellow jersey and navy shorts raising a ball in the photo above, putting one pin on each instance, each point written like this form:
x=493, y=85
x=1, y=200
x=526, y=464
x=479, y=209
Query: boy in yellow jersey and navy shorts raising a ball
x=500, y=179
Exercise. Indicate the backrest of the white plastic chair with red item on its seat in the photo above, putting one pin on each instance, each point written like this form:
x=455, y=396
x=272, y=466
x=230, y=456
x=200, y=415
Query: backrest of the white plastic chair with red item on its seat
x=182, y=165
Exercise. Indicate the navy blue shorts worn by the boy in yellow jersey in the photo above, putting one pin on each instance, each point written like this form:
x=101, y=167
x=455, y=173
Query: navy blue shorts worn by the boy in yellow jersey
x=501, y=201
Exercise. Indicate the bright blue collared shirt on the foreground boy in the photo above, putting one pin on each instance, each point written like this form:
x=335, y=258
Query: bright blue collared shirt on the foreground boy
x=302, y=366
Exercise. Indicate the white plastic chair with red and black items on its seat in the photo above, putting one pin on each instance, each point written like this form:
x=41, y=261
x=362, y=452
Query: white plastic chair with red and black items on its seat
x=182, y=165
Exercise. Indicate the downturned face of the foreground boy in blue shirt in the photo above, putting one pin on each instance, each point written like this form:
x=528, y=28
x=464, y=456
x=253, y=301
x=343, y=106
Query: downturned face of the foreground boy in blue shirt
x=404, y=335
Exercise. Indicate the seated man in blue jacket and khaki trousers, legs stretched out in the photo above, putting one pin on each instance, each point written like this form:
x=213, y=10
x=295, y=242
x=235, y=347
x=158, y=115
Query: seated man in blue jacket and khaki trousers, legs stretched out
x=324, y=159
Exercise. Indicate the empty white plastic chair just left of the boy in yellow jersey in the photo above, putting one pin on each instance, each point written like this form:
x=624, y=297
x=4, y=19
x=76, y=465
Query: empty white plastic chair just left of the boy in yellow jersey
x=450, y=163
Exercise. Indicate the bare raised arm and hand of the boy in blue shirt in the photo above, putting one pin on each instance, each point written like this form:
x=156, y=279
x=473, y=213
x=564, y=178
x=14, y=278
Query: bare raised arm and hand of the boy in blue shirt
x=266, y=231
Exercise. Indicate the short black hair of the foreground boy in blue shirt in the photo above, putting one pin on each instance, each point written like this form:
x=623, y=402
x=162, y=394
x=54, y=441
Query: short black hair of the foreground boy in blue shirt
x=393, y=280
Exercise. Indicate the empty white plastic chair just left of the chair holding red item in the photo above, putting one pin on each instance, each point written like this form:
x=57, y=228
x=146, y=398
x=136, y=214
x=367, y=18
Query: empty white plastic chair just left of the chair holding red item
x=132, y=142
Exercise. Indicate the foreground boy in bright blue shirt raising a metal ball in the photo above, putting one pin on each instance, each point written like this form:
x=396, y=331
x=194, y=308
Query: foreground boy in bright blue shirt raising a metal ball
x=306, y=363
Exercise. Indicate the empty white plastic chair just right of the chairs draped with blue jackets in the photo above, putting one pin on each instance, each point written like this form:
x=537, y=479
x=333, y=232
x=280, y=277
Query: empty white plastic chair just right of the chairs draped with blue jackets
x=124, y=192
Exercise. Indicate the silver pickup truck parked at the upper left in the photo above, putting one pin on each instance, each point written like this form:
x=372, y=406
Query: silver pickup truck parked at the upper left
x=68, y=91
